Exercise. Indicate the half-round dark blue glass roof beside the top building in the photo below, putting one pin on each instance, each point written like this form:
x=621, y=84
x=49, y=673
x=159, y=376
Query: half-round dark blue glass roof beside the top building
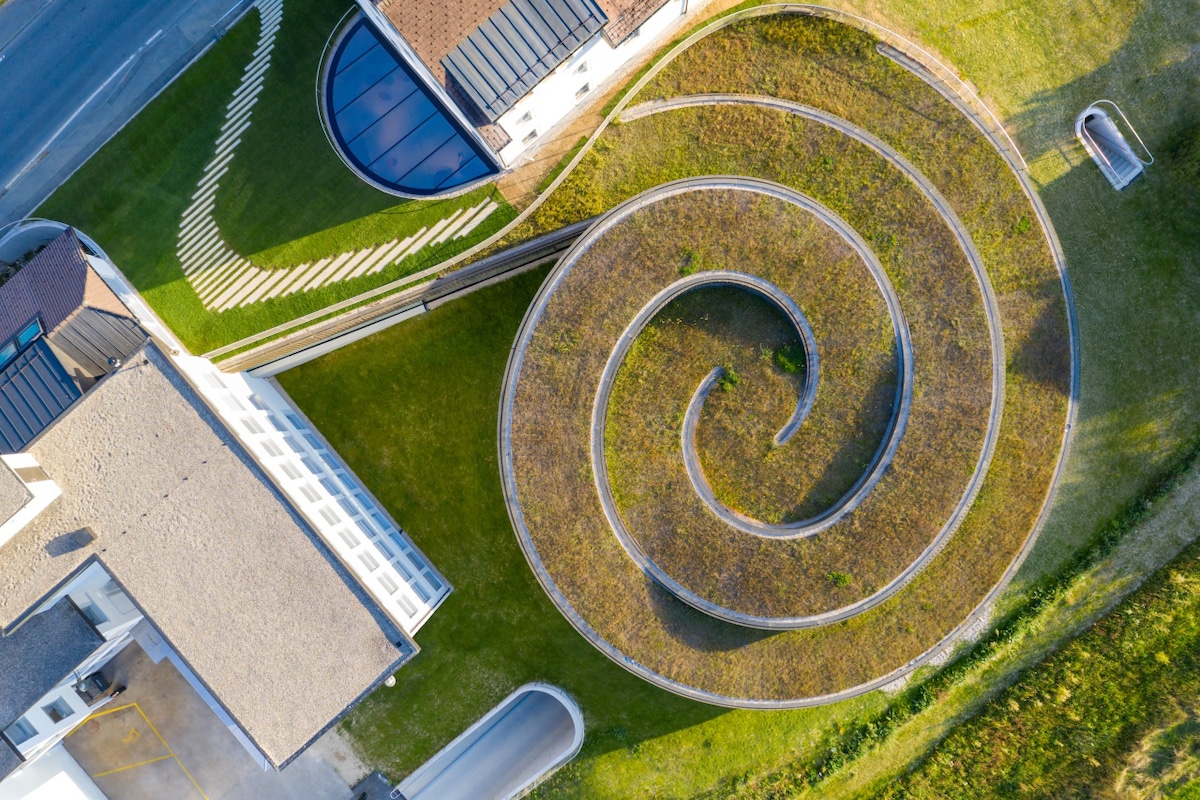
x=391, y=127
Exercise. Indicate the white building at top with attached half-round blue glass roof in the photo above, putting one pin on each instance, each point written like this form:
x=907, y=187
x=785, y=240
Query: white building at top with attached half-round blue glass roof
x=431, y=98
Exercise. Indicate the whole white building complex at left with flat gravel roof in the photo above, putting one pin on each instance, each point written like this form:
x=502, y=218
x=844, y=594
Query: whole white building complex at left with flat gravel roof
x=147, y=497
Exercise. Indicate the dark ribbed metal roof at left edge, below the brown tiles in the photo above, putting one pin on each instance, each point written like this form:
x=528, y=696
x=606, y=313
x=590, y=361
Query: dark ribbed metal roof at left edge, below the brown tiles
x=34, y=392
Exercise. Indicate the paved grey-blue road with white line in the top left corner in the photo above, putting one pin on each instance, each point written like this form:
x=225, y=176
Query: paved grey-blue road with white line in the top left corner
x=73, y=73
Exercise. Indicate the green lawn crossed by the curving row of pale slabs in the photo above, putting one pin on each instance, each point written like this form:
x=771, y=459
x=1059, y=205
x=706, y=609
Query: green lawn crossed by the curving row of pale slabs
x=286, y=201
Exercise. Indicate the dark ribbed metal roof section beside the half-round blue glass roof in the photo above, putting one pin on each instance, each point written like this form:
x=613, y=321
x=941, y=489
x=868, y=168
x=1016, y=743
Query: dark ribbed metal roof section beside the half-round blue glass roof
x=517, y=47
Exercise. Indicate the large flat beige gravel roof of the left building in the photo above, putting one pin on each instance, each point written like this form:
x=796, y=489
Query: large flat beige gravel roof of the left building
x=224, y=567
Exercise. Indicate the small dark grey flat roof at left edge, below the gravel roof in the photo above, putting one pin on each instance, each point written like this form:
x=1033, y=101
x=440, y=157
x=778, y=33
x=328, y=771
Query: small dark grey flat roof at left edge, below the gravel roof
x=40, y=654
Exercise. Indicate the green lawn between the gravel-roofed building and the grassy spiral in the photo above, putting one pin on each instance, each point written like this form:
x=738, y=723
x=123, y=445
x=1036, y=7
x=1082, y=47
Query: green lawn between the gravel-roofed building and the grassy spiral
x=415, y=412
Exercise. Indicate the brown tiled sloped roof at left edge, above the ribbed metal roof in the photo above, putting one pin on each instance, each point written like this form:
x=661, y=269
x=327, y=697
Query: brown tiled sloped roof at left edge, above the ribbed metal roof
x=56, y=284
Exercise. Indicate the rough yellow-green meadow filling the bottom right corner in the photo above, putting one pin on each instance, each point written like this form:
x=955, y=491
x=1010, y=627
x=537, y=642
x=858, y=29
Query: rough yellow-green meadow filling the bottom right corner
x=1072, y=725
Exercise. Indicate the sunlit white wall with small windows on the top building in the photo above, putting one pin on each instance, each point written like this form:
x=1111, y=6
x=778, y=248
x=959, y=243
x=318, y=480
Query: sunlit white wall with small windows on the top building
x=556, y=95
